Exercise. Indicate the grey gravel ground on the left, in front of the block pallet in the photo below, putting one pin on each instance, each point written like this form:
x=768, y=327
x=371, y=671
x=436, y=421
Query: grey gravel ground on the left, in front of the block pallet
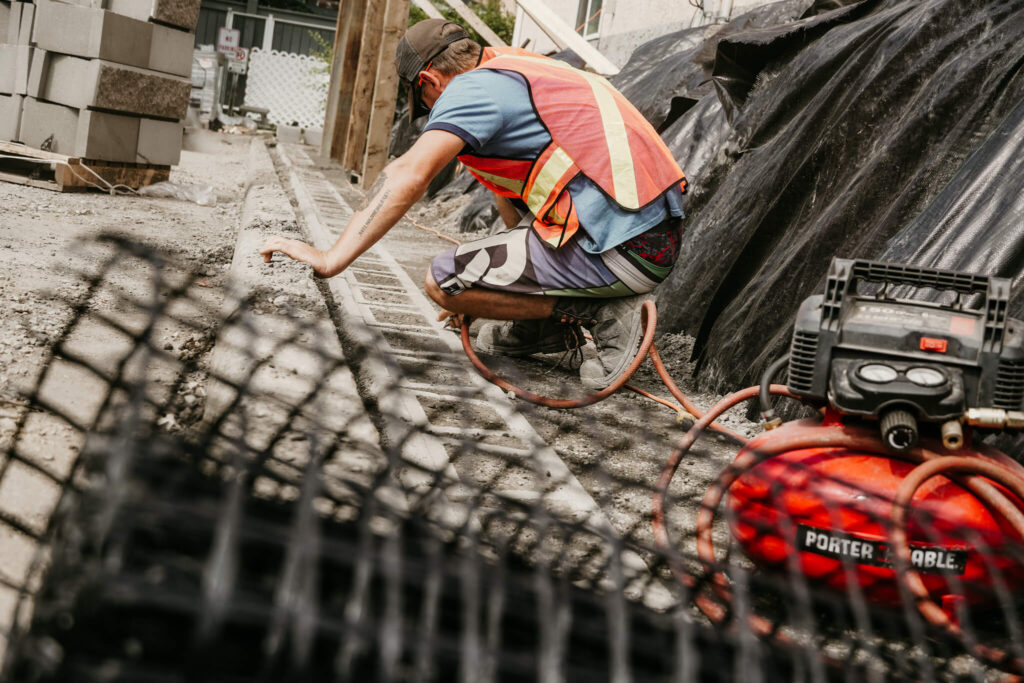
x=47, y=243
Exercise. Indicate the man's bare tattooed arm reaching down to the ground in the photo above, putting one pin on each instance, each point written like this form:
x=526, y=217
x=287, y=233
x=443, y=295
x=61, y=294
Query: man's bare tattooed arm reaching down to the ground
x=400, y=186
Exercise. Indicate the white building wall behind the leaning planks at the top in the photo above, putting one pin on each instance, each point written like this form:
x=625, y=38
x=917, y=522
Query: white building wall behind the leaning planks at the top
x=628, y=24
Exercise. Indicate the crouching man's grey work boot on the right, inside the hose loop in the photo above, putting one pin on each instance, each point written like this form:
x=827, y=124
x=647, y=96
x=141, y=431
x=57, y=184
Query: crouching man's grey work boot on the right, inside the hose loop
x=617, y=328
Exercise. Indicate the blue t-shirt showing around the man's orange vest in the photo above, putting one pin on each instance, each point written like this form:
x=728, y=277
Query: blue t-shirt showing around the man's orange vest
x=493, y=114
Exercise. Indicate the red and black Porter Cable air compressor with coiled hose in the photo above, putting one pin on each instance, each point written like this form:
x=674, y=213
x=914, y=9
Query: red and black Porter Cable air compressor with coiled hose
x=901, y=382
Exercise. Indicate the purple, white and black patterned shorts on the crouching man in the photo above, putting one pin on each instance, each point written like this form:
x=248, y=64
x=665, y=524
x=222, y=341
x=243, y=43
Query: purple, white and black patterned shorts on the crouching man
x=517, y=261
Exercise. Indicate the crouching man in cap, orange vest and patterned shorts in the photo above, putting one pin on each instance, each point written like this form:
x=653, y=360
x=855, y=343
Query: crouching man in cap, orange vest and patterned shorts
x=591, y=196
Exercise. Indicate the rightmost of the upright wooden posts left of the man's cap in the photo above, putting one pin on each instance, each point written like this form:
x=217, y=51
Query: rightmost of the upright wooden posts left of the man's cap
x=382, y=114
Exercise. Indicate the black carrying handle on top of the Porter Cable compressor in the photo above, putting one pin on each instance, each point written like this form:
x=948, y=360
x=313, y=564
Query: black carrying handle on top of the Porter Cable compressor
x=845, y=274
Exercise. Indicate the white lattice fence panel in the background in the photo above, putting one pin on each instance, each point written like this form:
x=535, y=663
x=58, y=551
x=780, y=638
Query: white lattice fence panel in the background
x=292, y=87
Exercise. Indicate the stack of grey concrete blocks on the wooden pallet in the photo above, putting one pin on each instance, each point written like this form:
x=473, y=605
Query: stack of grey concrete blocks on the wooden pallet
x=105, y=80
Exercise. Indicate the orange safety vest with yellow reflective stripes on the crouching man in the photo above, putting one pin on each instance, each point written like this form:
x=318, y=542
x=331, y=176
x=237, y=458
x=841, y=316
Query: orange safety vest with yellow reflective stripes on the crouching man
x=594, y=132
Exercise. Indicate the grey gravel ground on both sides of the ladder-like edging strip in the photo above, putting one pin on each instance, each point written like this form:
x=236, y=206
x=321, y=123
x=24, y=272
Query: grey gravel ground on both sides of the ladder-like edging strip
x=616, y=449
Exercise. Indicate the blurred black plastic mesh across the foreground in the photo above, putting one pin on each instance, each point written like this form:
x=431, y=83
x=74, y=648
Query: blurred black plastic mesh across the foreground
x=288, y=526
